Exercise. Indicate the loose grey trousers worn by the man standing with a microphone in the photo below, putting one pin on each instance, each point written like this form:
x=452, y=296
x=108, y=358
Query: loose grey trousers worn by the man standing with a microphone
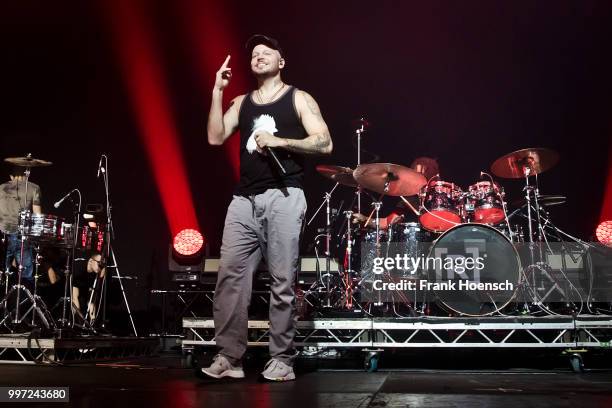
x=268, y=225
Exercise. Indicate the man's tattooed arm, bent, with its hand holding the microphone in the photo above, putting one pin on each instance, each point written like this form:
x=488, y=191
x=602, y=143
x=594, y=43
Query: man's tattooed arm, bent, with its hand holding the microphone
x=318, y=140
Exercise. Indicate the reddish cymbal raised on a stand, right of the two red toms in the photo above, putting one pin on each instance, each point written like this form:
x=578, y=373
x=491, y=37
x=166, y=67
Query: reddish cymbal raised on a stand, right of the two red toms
x=537, y=159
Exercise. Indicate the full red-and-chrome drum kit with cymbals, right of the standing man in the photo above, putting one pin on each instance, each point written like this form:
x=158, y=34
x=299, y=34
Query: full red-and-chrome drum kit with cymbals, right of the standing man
x=453, y=223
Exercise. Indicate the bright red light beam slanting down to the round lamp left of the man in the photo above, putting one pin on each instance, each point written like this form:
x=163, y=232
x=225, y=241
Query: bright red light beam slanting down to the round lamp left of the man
x=132, y=30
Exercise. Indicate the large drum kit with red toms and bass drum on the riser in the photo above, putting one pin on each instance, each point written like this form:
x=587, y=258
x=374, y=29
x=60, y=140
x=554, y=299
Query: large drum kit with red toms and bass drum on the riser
x=447, y=215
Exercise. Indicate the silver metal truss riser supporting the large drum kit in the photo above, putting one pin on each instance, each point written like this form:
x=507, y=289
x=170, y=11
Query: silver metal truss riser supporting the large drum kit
x=336, y=333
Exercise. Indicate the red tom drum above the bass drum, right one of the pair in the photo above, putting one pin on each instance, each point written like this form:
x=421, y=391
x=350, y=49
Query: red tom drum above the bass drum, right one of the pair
x=485, y=200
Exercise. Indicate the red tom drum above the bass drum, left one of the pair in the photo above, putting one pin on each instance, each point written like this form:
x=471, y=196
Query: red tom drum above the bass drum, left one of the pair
x=441, y=206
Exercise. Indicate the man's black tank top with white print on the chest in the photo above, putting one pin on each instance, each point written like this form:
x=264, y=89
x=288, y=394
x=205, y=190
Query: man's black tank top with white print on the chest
x=258, y=172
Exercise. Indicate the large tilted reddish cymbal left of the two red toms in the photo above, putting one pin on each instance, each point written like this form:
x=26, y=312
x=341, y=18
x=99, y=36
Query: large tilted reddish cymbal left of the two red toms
x=403, y=181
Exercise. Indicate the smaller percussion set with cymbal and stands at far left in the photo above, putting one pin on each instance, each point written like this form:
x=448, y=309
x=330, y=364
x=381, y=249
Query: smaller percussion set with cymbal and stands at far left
x=22, y=308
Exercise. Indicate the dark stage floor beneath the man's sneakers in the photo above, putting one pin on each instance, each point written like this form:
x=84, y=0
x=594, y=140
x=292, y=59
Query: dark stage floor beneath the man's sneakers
x=161, y=382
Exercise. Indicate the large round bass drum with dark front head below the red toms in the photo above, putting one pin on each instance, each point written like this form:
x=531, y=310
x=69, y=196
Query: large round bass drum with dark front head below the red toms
x=473, y=270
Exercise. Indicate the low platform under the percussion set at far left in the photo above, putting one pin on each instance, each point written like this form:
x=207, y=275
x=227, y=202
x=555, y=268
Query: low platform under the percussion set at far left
x=27, y=348
